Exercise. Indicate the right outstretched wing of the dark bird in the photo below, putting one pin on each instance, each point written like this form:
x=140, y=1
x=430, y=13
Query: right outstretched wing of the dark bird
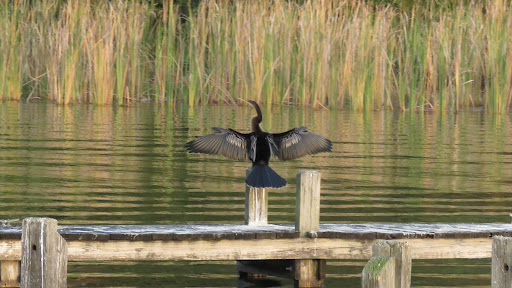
x=299, y=142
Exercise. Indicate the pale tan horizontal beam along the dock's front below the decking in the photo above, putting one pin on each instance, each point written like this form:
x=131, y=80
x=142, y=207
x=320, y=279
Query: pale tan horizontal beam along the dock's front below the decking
x=238, y=249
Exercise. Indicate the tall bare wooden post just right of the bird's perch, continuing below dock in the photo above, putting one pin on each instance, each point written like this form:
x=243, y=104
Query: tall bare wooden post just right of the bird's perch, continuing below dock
x=308, y=272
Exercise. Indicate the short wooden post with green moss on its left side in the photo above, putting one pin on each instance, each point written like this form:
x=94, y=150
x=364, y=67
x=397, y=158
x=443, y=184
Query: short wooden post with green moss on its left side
x=378, y=271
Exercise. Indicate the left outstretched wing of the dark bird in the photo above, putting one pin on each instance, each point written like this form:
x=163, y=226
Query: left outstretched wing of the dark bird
x=225, y=142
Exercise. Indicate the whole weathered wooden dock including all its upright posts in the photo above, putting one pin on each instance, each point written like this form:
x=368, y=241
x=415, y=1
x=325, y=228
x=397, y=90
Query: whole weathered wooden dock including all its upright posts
x=36, y=254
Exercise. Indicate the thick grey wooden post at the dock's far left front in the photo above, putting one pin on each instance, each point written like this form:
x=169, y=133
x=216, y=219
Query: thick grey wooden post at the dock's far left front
x=44, y=254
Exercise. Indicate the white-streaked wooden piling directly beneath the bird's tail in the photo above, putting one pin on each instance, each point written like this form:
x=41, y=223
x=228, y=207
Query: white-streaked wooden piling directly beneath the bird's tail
x=256, y=204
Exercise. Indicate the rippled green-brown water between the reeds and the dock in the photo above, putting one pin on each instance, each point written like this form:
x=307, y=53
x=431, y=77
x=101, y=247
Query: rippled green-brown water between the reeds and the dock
x=92, y=165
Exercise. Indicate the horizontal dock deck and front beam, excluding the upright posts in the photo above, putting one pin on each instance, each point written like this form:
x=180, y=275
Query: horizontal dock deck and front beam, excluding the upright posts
x=237, y=242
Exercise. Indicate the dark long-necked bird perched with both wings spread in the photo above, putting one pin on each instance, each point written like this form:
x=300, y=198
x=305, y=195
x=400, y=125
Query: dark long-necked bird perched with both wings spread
x=259, y=146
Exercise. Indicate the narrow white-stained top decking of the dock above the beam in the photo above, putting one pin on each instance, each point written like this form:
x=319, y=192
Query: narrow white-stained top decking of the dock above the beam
x=367, y=231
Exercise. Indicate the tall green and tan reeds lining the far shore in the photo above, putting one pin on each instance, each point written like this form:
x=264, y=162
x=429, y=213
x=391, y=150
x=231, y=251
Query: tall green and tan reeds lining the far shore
x=351, y=54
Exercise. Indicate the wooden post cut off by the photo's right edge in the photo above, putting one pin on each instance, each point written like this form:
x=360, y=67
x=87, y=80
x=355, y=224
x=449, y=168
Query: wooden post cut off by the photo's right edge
x=501, y=262
